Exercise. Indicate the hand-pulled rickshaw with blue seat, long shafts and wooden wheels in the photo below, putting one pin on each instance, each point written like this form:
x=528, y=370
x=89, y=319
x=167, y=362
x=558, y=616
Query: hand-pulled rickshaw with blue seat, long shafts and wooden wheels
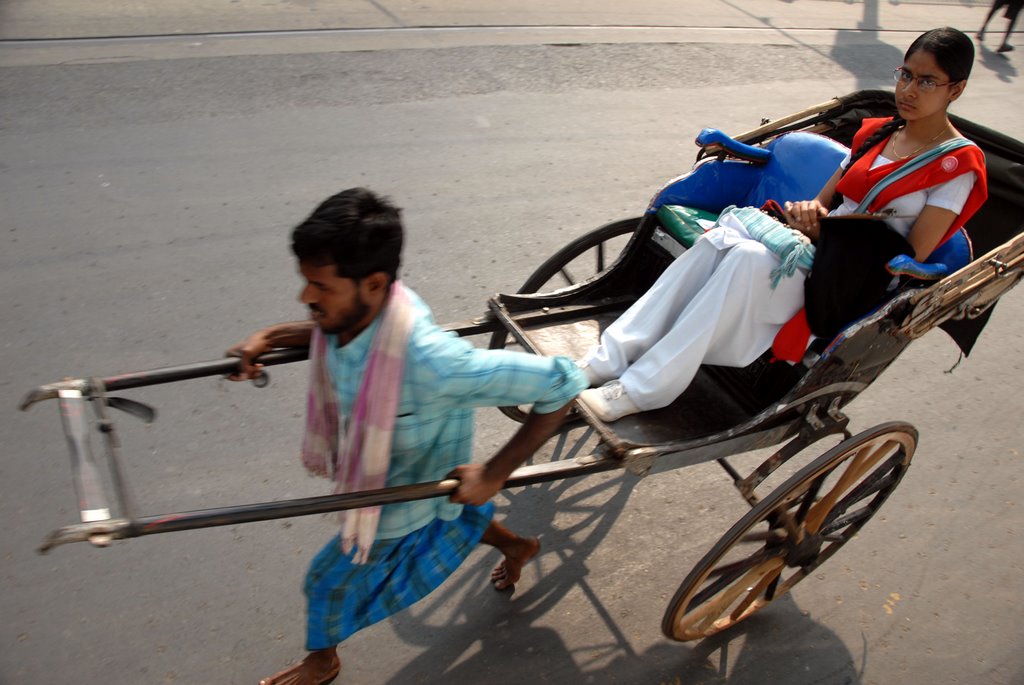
x=564, y=306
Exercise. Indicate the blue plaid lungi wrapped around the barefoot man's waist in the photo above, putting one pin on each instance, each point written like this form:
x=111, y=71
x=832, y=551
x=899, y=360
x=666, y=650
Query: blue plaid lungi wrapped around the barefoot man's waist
x=344, y=597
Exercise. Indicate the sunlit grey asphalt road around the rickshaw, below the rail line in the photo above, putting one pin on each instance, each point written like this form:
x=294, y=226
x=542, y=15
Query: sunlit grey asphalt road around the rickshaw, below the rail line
x=147, y=206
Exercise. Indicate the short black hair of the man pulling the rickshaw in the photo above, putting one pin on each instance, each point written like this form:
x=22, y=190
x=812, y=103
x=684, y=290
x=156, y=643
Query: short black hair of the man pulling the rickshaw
x=357, y=231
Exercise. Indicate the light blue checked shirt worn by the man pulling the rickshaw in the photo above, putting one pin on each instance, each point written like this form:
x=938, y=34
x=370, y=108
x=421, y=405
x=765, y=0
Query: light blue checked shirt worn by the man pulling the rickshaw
x=445, y=379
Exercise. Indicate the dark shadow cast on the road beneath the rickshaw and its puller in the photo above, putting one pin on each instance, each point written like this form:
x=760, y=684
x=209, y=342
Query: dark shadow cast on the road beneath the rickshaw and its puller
x=468, y=633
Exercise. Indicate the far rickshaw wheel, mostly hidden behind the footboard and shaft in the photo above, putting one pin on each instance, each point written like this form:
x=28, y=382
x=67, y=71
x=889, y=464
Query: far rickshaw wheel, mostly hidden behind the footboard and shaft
x=558, y=266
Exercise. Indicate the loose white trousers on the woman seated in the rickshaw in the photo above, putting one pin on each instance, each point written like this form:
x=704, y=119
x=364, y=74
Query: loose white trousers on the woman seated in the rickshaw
x=714, y=305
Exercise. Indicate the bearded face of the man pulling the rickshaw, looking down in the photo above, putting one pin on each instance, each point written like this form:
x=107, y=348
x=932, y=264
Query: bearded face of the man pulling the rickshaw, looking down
x=335, y=303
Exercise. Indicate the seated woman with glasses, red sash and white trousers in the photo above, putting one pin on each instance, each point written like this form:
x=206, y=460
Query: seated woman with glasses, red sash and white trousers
x=718, y=303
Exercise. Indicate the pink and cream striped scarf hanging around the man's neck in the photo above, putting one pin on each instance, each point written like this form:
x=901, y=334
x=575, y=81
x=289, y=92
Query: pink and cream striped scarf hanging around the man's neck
x=358, y=458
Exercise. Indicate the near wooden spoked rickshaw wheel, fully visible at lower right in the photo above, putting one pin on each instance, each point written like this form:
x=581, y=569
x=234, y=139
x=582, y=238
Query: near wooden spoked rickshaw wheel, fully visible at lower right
x=791, y=533
